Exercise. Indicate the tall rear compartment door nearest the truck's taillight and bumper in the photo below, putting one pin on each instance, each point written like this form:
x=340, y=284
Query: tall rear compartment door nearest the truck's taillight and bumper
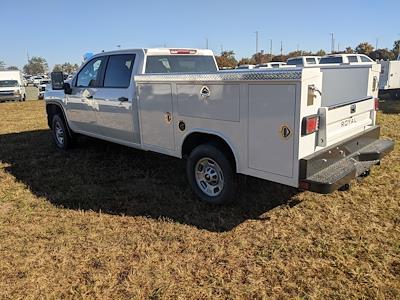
x=271, y=128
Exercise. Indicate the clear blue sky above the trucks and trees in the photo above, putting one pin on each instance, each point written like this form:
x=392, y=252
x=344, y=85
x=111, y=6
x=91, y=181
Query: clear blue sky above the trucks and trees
x=62, y=31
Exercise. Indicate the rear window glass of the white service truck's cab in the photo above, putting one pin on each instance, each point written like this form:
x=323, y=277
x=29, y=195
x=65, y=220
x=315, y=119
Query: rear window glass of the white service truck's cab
x=180, y=64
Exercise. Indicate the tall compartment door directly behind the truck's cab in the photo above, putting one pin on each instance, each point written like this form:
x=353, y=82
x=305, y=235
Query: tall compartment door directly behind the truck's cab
x=155, y=105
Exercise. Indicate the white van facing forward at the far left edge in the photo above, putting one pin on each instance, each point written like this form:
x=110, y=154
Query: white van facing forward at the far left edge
x=12, y=86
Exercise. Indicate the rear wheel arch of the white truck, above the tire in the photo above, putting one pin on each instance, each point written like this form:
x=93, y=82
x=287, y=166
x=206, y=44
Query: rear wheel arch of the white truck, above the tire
x=199, y=137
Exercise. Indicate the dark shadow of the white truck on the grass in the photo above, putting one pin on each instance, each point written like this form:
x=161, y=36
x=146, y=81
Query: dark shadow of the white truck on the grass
x=101, y=176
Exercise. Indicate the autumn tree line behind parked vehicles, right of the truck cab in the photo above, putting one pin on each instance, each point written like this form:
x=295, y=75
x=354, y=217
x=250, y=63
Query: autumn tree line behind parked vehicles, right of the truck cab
x=227, y=59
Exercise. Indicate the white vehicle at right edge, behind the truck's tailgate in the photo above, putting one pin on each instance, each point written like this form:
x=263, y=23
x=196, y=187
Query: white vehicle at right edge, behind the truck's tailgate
x=389, y=80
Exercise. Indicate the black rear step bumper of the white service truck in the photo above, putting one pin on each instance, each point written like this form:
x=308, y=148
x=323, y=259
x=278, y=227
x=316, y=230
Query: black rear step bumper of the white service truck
x=329, y=169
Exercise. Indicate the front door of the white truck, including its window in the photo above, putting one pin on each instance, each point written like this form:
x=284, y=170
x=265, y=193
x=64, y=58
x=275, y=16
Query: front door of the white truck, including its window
x=81, y=103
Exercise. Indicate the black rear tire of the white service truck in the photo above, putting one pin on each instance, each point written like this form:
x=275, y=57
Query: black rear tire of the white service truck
x=211, y=153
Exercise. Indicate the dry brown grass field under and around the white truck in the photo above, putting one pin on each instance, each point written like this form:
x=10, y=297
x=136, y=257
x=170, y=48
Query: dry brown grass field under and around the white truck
x=106, y=221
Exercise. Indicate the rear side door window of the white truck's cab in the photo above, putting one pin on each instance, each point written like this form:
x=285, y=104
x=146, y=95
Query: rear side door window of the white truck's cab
x=119, y=71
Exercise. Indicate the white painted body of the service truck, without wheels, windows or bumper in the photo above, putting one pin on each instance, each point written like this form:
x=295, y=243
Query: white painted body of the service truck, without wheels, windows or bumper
x=257, y=113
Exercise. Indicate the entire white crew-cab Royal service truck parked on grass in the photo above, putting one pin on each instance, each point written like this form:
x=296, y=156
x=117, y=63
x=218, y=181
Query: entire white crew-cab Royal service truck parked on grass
x=274, y=124
